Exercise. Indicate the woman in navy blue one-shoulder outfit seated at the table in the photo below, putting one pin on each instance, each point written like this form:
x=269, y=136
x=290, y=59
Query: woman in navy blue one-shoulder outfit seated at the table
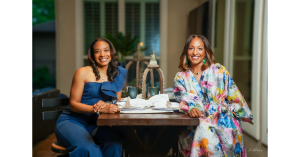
x=95, y=89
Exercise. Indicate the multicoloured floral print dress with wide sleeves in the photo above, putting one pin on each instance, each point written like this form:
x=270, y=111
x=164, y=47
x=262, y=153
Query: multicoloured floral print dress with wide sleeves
x=219, y=132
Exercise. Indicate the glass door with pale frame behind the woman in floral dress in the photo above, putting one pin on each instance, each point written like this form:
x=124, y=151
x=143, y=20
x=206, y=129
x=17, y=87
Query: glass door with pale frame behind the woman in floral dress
x=242, y=53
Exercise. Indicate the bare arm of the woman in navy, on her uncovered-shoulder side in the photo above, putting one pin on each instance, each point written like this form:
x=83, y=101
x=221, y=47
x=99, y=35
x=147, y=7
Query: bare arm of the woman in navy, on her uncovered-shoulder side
x=79, y=79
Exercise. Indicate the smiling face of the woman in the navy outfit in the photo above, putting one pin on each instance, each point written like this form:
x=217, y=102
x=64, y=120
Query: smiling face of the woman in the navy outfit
x=102, y=53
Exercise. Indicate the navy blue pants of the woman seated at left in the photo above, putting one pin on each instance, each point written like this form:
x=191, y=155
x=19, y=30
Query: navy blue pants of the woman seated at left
x=82, y=140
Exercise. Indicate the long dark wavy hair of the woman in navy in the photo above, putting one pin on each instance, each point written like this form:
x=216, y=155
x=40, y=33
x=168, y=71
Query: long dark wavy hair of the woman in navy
x=112, y=70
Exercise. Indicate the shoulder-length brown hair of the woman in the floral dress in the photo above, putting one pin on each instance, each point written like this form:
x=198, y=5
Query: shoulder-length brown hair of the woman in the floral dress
x=209, y=53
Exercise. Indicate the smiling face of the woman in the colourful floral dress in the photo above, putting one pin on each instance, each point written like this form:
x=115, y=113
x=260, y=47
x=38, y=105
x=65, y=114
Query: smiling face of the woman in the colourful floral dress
x=196, y=51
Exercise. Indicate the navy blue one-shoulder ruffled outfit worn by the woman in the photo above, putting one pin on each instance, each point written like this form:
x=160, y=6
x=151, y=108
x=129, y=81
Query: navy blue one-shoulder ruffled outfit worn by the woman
x=71, y=127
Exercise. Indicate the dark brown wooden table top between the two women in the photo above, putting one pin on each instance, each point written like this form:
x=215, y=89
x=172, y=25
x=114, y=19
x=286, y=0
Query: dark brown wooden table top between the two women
x=153, y=119
